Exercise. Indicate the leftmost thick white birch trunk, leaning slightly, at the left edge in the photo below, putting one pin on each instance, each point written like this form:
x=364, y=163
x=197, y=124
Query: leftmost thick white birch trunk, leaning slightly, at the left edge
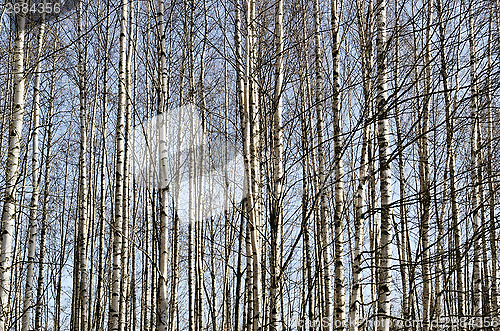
x=12, y=170
